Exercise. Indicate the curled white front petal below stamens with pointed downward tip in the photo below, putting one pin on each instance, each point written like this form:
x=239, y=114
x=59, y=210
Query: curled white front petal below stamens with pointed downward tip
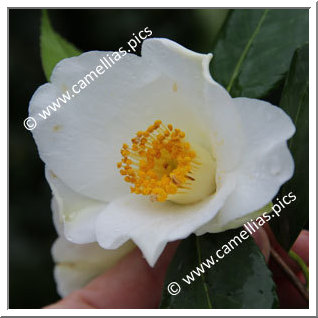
x=152, y=224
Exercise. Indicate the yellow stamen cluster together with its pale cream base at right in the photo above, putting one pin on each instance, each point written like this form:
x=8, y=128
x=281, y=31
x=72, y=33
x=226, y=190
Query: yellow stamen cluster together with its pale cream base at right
x=161, y=164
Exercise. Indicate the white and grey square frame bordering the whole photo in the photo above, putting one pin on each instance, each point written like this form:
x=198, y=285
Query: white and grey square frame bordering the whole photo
x=312, y=162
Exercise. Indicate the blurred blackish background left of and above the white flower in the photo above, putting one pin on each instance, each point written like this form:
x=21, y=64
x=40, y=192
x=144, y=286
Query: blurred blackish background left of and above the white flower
x=31, y=231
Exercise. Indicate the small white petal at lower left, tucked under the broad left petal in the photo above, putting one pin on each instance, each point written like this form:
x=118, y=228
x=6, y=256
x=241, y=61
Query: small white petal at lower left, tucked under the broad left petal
x=77, y=213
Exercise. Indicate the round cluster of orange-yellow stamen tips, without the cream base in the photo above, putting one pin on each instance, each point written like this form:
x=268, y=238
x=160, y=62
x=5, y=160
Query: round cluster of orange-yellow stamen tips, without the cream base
x=159, y=162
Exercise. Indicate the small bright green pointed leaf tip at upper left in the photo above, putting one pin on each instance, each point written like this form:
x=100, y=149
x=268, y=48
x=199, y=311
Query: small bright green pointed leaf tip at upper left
x=53, y=47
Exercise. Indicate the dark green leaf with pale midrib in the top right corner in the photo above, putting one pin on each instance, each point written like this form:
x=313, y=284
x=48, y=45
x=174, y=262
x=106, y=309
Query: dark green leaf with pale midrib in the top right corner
x=255, y=48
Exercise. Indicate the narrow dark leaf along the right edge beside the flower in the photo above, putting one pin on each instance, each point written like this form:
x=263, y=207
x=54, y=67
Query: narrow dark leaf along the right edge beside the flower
x=295, y=102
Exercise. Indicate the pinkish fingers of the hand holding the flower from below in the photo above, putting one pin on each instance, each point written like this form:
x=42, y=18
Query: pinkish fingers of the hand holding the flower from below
x=132, y=283
